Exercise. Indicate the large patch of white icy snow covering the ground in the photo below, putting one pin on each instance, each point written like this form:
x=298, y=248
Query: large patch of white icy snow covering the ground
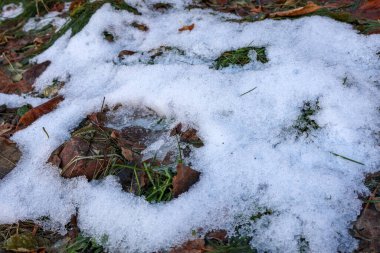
x=251, y=160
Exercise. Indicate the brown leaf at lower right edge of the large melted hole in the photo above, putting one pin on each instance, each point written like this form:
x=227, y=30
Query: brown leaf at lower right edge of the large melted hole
x=184, y=179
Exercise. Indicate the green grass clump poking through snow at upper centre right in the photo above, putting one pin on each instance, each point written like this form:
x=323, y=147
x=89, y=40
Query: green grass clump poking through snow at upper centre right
x=240, y=57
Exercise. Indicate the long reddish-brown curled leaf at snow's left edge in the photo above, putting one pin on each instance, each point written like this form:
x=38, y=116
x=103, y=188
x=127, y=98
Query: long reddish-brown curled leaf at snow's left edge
x=33, y=114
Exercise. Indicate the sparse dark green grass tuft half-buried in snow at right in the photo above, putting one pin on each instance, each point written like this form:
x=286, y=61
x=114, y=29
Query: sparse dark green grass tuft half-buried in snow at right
x=305, y=122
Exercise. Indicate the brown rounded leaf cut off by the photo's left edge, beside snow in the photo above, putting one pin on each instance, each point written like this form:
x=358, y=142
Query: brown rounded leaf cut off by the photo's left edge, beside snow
x=9, y=156
